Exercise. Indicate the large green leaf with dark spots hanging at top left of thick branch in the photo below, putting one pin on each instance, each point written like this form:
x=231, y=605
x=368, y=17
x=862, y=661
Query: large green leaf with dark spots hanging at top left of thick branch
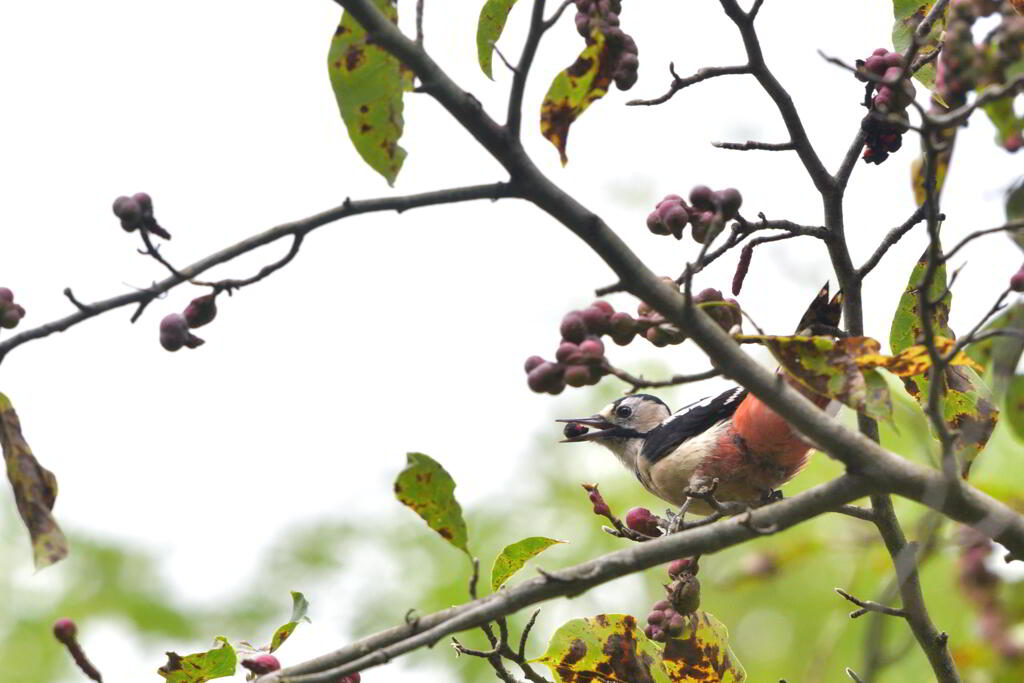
x=368, y=83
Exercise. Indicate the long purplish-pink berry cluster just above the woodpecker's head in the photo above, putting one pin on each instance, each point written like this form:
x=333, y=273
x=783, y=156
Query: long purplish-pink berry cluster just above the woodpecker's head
x=580, y=360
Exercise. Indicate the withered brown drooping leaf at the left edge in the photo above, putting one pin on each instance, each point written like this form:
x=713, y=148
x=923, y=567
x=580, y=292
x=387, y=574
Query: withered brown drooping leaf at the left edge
x=35, y=490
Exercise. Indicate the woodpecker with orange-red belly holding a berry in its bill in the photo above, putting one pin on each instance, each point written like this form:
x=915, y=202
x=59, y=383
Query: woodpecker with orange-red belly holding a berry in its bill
x=733, y=445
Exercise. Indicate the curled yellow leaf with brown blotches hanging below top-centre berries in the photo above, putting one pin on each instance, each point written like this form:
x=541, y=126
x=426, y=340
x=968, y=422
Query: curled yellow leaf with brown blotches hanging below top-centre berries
x=574, y=91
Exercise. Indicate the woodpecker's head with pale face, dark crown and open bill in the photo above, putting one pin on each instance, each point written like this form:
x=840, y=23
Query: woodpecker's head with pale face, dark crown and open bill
x=622, y=425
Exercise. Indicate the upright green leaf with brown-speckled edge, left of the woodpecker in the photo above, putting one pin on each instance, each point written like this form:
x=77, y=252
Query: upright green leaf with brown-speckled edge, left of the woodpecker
x=426, y=488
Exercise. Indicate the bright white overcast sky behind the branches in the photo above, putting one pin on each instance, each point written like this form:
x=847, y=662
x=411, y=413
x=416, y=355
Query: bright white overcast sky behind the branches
x=389, y=333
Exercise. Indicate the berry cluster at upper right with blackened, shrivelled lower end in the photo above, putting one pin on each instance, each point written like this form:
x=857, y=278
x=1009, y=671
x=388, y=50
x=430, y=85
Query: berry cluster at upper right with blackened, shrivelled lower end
x=891, y=97
